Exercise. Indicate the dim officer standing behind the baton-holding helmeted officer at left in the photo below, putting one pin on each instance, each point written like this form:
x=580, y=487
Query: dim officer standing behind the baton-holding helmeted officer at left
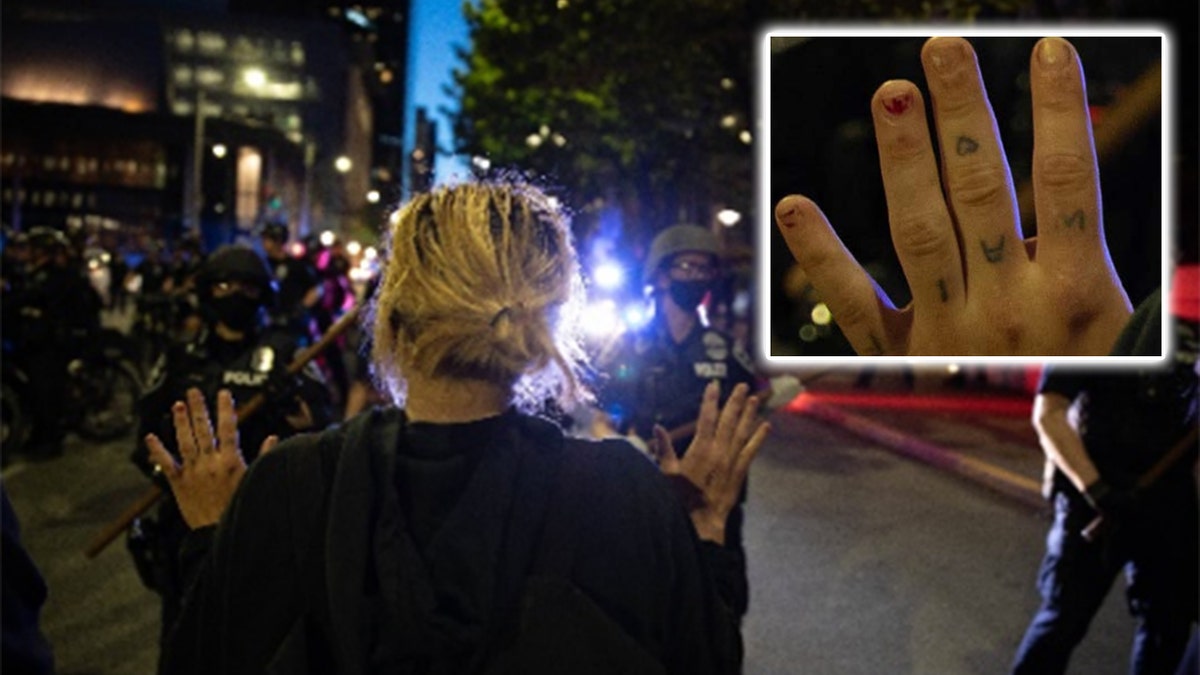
x=301, y=289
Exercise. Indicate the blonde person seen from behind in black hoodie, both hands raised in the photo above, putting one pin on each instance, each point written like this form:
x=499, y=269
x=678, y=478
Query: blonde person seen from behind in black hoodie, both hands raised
x=460, y=535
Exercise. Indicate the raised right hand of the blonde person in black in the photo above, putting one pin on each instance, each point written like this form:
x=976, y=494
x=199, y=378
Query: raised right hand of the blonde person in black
x=718, y=461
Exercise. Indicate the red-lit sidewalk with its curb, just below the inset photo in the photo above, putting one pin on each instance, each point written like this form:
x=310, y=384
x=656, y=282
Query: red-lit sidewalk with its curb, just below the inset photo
x=981, y=434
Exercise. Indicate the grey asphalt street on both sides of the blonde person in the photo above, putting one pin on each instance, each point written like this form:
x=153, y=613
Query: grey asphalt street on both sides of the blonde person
x=862, y=561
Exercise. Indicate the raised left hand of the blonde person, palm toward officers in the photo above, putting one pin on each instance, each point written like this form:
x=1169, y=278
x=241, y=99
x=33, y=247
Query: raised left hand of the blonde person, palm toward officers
x=212, y=467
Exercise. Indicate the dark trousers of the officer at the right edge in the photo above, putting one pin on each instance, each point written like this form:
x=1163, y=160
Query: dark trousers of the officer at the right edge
x=1159, y=552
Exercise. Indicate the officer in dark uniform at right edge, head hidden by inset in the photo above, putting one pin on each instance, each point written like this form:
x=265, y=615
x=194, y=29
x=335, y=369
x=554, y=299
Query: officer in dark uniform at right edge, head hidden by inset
x=1103, y=431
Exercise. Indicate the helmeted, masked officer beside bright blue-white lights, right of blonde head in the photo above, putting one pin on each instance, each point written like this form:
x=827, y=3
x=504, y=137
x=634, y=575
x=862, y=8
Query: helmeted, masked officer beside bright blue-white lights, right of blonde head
x=657, y=377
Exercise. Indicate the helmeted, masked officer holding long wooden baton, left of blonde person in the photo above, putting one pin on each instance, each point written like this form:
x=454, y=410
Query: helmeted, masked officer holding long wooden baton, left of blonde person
x=235, y=351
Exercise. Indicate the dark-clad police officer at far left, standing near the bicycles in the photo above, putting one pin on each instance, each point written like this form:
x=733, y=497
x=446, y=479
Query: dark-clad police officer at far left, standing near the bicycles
x=58, y=309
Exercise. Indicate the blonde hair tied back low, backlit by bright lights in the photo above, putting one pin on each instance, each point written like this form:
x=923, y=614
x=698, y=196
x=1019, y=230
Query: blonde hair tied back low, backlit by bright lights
x=482, y=283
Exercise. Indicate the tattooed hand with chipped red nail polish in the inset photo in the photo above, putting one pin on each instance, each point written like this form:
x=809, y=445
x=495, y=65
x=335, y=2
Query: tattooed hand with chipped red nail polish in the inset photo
x=977, y=289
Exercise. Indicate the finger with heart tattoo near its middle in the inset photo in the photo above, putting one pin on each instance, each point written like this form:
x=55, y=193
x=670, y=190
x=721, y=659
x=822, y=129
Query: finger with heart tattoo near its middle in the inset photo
x=979, y=183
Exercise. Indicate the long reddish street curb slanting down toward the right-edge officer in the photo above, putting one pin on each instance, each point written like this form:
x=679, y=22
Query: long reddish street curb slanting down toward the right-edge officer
x=1015, y=486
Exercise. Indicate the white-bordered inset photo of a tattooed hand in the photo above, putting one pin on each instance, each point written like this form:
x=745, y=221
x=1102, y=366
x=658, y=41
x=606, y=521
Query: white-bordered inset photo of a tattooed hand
x=986, y=196
